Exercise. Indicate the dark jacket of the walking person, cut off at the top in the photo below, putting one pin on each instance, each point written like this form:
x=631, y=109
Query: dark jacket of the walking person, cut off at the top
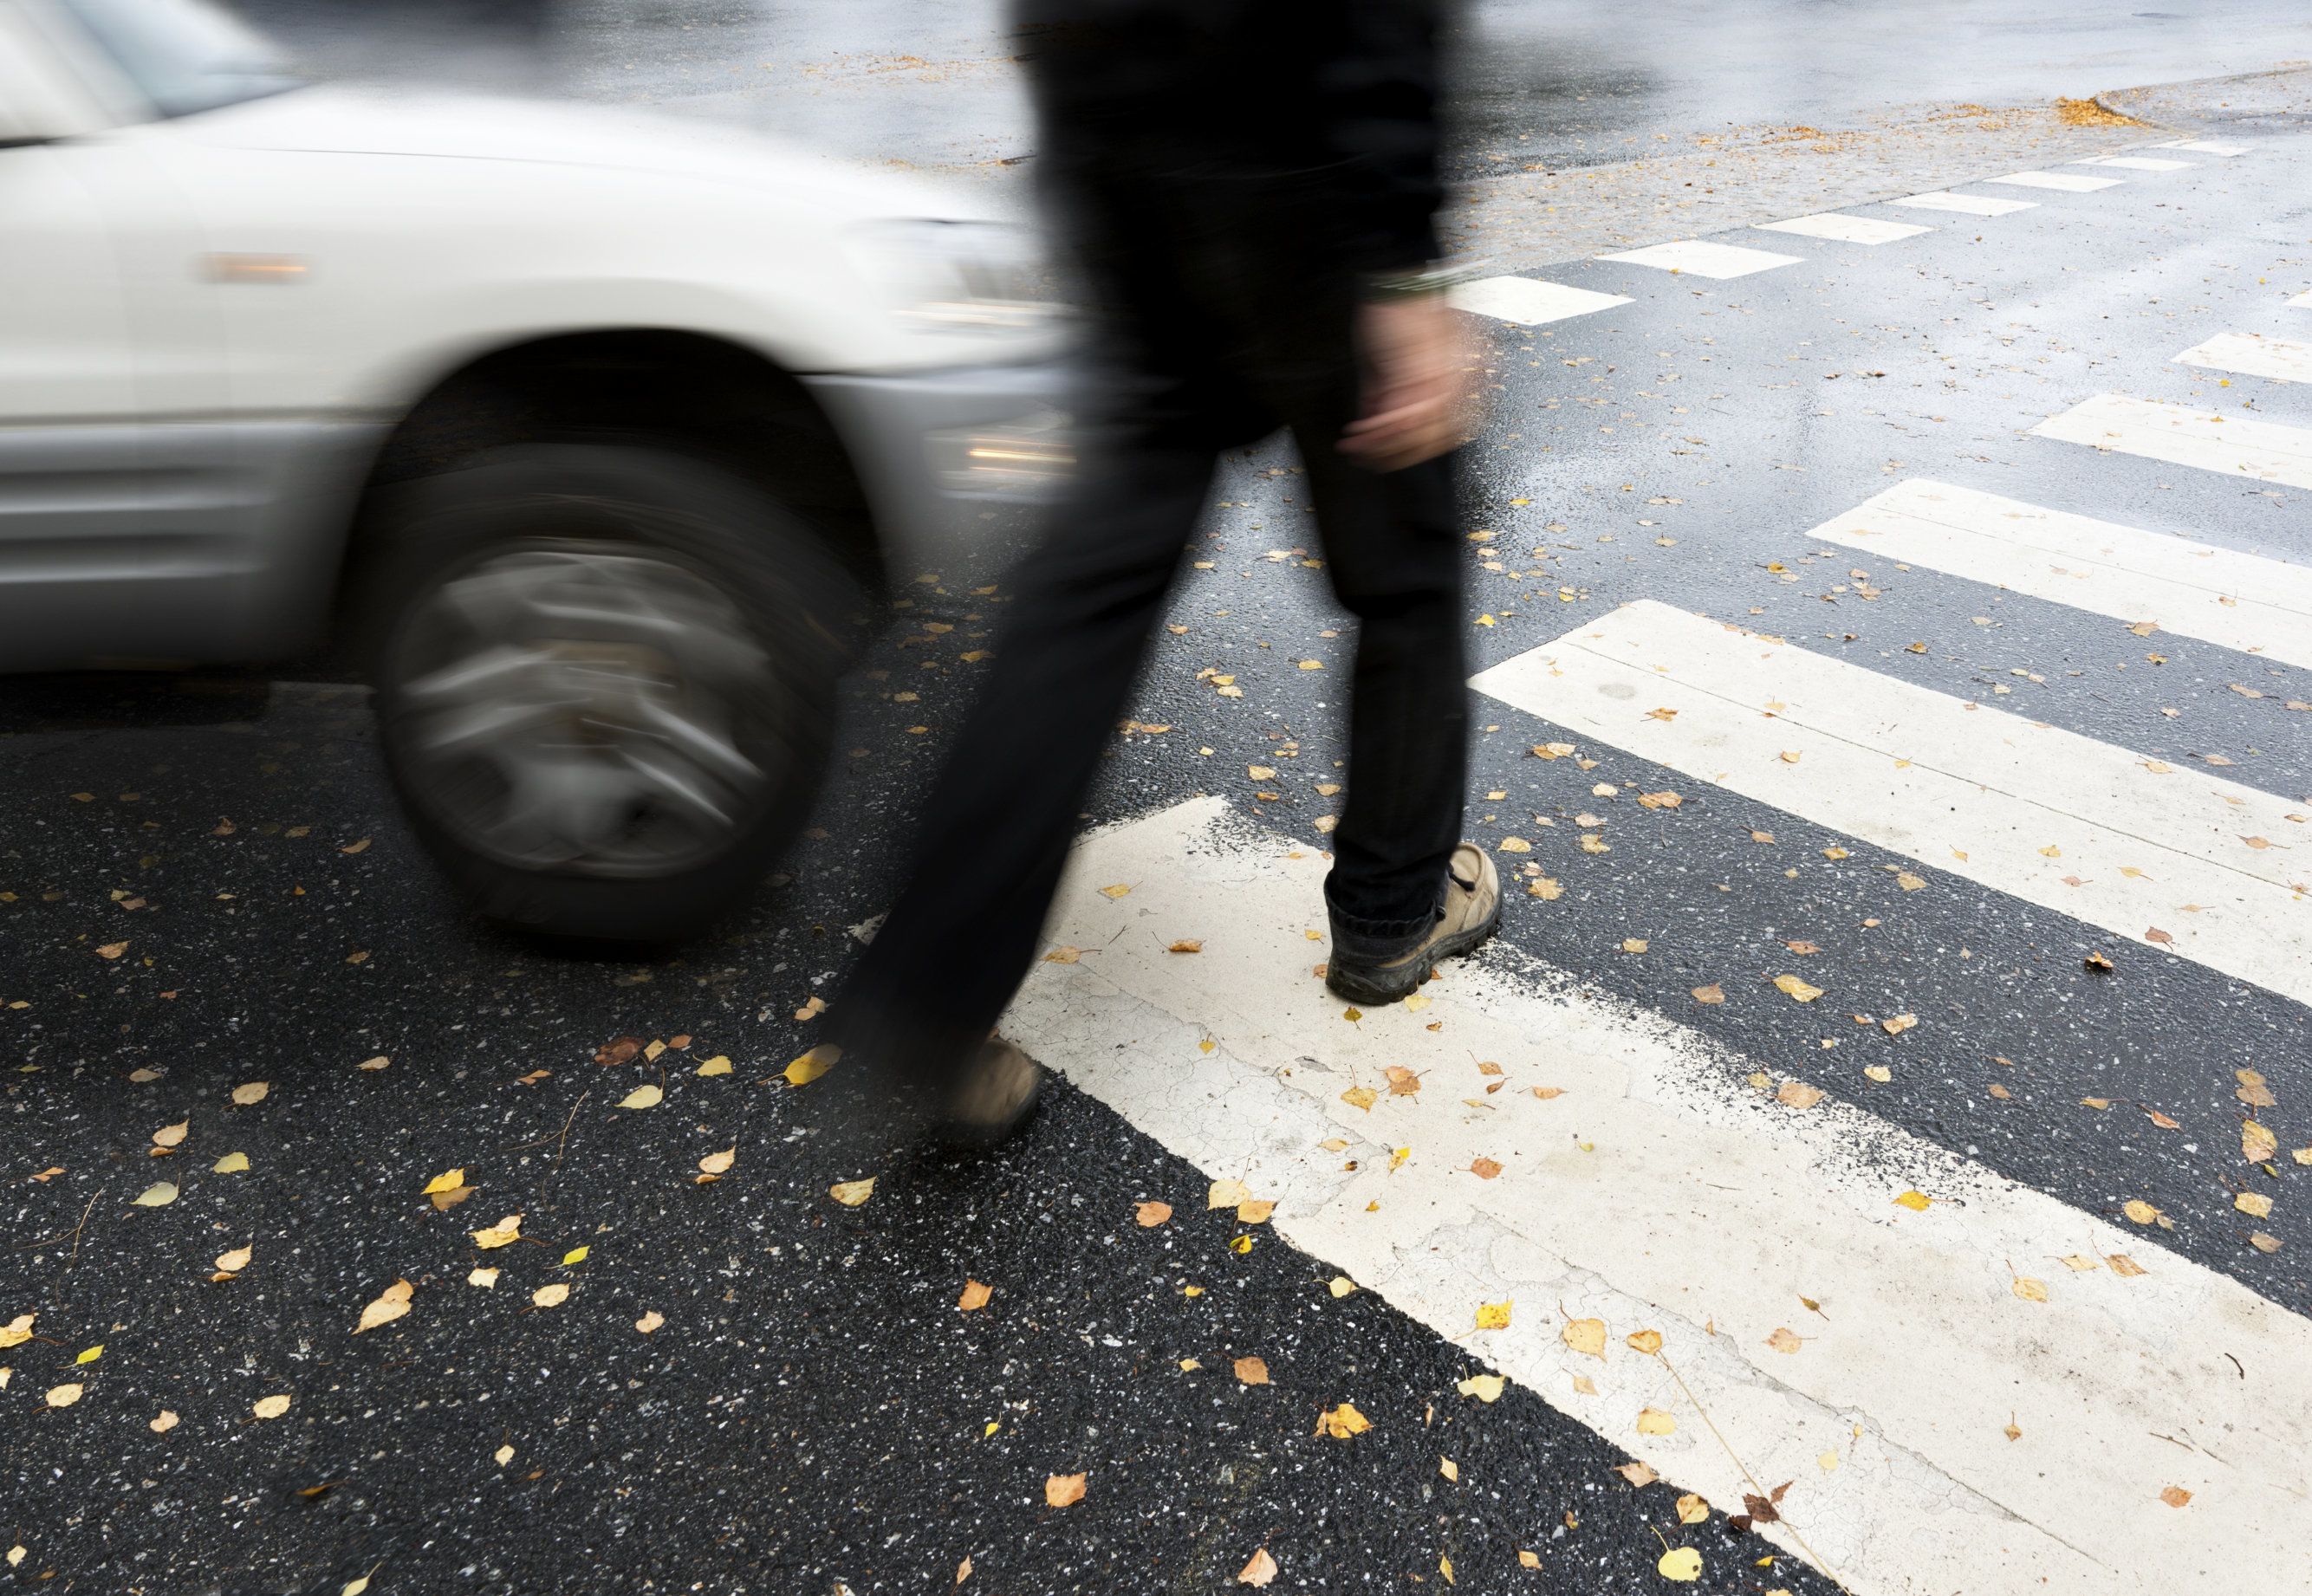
x=1312, y=121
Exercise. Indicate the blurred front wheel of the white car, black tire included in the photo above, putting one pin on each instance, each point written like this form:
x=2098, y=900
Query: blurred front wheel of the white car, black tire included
x=605, y=684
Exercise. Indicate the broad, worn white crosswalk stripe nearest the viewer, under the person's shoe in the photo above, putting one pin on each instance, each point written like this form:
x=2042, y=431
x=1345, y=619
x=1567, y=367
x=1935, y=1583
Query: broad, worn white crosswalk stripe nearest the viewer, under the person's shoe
x=1661, y=1192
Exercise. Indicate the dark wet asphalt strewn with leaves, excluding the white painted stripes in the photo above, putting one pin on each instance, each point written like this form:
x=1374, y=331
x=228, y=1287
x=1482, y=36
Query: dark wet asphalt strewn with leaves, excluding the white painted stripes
x=813, y=1412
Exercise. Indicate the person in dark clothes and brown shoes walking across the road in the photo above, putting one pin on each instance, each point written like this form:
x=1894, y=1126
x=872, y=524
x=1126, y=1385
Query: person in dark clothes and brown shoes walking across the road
x=1247, y=193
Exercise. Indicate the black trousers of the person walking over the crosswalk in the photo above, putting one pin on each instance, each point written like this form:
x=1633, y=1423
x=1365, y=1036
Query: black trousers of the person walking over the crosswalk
x=1206, y=348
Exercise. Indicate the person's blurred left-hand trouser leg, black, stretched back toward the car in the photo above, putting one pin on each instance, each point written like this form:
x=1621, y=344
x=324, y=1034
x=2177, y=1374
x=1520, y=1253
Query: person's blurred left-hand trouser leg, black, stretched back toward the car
x=1002, y=815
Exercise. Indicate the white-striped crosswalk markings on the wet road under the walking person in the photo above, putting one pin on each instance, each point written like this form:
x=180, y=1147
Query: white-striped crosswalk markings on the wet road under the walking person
x=1516, y=1139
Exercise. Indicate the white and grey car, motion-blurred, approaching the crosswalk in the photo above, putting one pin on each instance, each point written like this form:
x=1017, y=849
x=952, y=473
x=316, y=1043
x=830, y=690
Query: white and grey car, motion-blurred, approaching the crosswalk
x=588, y=427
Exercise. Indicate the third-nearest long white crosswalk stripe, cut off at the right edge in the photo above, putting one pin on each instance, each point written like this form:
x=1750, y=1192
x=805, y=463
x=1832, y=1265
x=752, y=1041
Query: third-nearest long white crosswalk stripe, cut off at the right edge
x=2195, y=591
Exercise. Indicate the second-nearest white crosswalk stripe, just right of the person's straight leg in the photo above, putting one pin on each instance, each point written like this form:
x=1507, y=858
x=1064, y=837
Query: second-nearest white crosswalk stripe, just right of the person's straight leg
x=2066, y=822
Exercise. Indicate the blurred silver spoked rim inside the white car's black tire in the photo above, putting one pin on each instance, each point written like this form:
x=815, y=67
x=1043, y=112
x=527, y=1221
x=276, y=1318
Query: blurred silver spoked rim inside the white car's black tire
x=584, y=707
